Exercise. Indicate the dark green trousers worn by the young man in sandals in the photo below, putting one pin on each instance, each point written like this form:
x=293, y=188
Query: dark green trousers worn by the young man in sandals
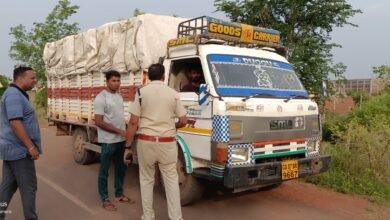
x=110, y=152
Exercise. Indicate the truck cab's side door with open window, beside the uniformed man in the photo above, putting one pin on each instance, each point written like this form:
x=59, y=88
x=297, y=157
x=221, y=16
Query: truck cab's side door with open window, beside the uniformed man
x=193, y=91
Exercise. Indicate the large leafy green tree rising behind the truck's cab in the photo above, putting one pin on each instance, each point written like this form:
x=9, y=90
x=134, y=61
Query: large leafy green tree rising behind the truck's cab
x=305, y=28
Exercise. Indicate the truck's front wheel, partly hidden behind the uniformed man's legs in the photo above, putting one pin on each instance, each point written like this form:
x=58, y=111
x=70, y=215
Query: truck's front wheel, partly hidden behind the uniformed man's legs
x=191, y=188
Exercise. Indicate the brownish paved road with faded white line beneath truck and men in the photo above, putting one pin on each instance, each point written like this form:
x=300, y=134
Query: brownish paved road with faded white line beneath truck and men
x=67, y=190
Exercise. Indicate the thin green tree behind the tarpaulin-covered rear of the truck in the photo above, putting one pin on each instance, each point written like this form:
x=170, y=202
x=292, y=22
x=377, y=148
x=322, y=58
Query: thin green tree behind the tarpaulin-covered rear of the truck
x=28, y=46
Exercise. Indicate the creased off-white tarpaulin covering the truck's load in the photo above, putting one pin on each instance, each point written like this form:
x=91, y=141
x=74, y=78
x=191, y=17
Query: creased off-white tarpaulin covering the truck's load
x=125, y=46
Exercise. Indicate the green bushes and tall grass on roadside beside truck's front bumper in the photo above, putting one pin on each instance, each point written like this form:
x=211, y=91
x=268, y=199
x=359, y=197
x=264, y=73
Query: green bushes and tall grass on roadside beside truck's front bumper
x=360, y=149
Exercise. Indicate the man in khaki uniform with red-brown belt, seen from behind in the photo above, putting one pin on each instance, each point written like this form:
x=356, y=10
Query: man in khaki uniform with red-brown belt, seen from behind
x=154, y=111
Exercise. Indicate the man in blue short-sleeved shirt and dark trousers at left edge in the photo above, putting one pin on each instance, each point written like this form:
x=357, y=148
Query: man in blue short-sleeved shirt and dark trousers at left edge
x=20, y=143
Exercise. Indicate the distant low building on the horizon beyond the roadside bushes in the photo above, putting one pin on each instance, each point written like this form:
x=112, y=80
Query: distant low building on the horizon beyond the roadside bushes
x=370, y=86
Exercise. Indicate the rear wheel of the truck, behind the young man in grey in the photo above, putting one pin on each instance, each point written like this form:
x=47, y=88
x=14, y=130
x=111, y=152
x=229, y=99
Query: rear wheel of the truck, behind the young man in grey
x=80, y=154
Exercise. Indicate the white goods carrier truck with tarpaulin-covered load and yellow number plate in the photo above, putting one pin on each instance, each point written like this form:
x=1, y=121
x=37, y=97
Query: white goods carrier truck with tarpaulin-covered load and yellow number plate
x=251, y=124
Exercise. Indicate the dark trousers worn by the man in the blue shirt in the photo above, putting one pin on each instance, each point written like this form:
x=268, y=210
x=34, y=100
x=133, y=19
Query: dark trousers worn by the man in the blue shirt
x=19, y=174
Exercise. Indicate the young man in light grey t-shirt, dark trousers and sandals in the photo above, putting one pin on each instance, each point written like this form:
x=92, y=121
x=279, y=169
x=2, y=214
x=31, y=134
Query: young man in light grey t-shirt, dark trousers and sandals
x=110, y=122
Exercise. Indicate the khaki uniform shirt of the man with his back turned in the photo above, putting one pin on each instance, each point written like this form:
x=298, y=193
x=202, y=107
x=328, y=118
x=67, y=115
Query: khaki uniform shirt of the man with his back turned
x=160, y=106
